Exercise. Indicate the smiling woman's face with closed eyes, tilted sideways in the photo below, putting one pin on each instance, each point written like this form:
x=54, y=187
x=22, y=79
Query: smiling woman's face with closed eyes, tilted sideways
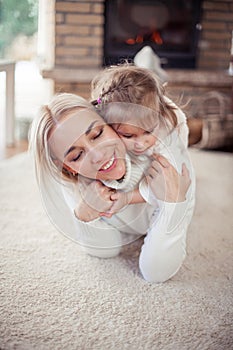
x=88, y=146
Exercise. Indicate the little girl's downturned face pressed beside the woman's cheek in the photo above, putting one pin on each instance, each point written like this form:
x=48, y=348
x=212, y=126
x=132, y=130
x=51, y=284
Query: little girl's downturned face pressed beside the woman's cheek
x=136, y=139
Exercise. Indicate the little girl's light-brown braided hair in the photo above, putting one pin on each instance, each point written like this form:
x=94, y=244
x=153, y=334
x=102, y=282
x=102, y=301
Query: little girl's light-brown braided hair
x=131, y=84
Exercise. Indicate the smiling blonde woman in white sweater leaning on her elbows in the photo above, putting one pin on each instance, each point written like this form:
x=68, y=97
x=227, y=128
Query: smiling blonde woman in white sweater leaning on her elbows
x=72, y=142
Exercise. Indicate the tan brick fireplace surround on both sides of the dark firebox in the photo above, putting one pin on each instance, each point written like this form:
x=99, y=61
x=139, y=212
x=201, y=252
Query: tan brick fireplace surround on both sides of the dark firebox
x=79, y=40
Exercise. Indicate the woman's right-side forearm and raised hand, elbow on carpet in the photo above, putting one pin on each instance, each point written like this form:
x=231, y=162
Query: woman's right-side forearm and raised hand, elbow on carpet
x=164, y=247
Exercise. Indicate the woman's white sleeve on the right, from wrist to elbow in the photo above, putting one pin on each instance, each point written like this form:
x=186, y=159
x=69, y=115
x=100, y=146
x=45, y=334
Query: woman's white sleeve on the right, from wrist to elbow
x=164, y=248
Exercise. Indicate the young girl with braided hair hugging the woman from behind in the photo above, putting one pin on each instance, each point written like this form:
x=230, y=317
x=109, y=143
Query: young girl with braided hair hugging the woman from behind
x=133, y=102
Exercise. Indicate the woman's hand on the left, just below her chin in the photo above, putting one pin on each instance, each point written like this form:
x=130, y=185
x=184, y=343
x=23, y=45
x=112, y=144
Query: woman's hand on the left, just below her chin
x=94, y=200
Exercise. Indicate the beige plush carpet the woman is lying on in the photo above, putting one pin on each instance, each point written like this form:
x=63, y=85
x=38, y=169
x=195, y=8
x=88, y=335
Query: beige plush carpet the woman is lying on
x=53, y=296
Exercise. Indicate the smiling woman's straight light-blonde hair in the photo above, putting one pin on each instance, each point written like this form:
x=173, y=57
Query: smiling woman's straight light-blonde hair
x=60, y=106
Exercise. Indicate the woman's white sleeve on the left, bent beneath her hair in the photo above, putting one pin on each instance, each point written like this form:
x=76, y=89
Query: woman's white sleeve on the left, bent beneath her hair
x=96, y=238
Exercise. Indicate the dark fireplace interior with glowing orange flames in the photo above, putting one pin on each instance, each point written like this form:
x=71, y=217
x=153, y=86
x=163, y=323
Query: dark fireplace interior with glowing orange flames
x=170, y=27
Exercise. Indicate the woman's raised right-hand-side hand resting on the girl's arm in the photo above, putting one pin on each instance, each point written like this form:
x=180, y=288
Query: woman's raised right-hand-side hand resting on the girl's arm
x=166, y=183
